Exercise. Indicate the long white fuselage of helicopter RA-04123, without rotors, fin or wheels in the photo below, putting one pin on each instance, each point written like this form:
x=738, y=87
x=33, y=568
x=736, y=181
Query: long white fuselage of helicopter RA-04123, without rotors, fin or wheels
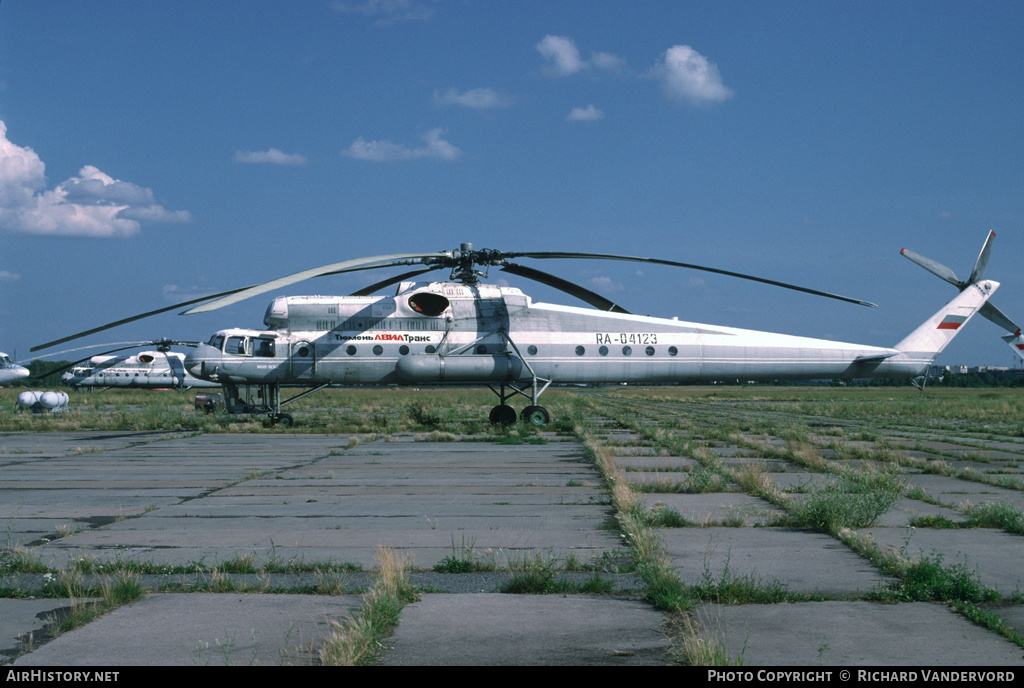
x=439, y=333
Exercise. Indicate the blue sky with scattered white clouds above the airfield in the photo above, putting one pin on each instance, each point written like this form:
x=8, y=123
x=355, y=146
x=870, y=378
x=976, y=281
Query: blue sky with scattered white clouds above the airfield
x=156, y=151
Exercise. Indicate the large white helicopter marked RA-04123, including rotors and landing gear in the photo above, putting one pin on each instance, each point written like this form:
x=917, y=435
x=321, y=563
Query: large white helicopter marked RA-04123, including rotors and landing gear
x=464, y=332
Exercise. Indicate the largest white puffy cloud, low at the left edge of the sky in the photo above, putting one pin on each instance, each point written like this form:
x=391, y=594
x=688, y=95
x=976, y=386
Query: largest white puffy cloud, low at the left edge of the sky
x=93, y=204
